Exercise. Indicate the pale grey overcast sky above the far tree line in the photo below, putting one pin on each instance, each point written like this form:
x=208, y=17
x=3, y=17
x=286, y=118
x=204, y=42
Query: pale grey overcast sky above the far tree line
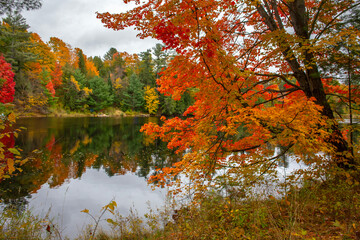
x=75, y=22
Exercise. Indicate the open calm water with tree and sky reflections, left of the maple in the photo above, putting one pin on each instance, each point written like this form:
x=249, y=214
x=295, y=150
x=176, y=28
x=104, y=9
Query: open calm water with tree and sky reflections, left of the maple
x=85, y=163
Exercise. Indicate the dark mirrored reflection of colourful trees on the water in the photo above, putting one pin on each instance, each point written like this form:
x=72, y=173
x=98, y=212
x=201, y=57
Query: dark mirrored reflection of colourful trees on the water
x=67, y=147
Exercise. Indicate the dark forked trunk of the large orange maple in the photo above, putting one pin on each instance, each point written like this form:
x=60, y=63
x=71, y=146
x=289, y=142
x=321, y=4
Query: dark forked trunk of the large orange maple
x=309, y=80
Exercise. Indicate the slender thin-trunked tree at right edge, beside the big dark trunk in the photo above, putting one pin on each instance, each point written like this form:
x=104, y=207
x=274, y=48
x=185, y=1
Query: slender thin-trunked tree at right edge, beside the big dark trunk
x=343, y=63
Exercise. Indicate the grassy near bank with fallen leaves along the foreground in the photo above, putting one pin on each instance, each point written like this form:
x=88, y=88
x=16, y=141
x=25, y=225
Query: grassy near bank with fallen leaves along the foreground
x=327, y=210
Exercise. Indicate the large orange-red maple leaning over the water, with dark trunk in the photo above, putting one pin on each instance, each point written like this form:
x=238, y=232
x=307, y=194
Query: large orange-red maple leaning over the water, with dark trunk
x=255, y=66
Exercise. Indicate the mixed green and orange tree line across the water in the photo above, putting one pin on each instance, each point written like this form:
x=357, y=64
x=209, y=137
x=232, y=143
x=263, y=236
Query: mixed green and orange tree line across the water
x=53, y=75
